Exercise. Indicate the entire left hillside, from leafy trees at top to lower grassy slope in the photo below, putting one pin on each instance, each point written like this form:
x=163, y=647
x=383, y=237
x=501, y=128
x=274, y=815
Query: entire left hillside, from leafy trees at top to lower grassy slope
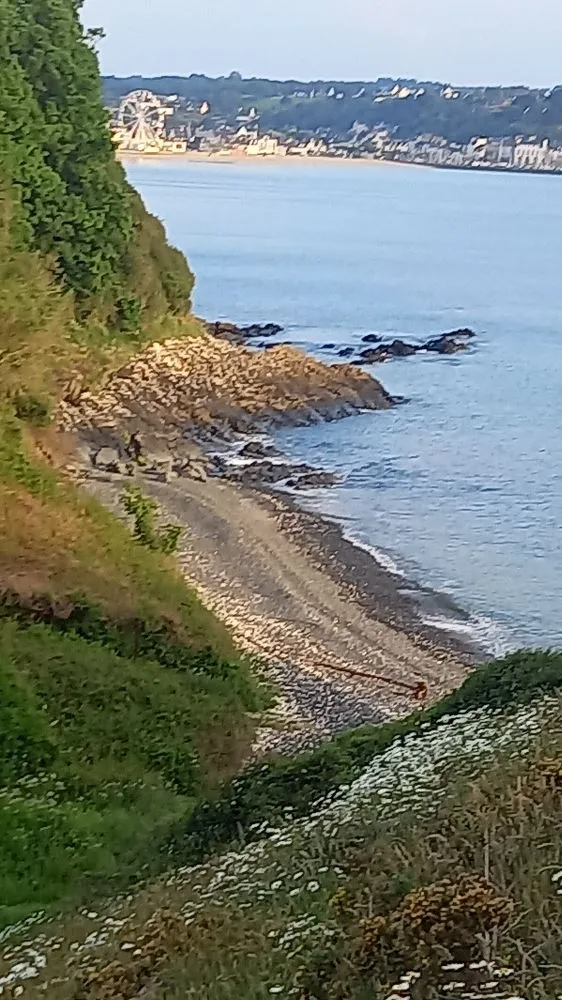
x=123, y=702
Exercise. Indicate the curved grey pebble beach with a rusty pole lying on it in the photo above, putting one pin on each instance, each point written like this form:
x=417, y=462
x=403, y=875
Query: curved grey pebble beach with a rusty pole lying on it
x=311, y=605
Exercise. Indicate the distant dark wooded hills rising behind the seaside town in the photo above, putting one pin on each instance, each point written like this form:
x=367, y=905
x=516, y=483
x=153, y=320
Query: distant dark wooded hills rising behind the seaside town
x=334, y=106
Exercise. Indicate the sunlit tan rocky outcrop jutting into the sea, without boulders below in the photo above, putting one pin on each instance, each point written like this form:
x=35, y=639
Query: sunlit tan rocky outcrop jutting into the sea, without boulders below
x=204, y=388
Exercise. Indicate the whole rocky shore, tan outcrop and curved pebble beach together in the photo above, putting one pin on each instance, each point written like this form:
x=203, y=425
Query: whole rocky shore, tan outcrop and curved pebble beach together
x=343, y=637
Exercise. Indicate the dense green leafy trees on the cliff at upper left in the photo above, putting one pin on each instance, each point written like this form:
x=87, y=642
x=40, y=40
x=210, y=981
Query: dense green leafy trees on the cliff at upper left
x=72, y=201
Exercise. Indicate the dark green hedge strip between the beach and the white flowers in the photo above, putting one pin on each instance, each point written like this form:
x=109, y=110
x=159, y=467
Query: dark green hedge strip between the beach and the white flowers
x=266, y=791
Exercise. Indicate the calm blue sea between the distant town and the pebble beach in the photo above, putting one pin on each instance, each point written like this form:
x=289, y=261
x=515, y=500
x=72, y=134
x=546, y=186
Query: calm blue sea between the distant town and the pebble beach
x=460, y=489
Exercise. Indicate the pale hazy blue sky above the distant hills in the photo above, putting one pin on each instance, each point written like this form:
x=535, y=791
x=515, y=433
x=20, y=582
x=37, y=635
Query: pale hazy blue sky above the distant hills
x=459, y=41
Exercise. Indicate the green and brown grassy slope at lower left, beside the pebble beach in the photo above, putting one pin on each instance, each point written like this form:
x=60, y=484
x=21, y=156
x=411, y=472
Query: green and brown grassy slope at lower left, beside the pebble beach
x=123, y=702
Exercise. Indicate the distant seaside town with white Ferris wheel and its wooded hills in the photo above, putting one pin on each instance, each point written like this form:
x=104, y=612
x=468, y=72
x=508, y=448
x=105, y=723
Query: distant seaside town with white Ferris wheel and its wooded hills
x=146, y=123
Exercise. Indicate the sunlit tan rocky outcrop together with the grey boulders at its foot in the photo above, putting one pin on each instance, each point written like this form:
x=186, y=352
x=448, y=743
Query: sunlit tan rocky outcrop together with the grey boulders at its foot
x=200, y=391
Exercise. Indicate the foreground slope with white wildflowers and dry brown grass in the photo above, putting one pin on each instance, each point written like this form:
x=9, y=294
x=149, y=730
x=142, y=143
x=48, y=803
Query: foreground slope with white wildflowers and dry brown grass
x=440, y=864
